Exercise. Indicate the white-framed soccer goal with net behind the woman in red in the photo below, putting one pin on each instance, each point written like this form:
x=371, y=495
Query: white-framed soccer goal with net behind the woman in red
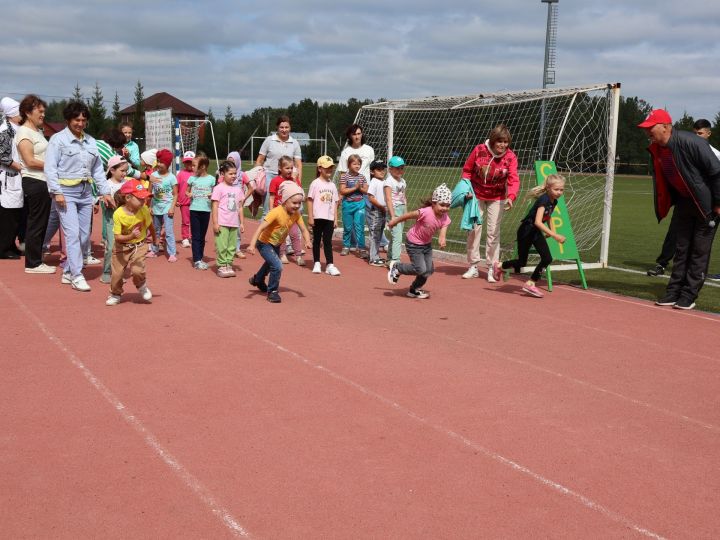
x=575, y=127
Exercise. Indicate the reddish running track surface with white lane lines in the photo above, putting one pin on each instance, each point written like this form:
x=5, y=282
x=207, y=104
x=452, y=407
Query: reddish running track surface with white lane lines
x=350, y=411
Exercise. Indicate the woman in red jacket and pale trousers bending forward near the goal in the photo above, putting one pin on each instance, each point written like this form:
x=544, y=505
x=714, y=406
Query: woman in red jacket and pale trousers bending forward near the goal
x=492, y=171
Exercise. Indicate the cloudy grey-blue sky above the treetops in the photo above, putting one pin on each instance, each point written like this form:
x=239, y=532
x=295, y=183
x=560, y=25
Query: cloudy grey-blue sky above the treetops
x=248, y=53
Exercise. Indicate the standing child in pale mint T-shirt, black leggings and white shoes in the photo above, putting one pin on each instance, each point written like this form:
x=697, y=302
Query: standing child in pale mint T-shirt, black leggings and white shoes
x=199, y=190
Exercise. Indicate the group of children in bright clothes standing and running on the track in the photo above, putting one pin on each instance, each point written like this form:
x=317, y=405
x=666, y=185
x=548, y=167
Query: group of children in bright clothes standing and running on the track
x=380, y=202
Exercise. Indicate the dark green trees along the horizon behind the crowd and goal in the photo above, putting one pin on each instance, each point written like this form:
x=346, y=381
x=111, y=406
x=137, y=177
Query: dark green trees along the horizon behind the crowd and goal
x=329, y=120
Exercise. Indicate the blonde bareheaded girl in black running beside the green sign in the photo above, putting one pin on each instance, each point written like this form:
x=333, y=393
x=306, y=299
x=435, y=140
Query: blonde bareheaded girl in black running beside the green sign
x=533, y=230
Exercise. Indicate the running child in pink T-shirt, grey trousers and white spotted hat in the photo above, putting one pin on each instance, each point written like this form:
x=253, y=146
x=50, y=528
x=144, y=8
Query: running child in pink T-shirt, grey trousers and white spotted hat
x=429, y=219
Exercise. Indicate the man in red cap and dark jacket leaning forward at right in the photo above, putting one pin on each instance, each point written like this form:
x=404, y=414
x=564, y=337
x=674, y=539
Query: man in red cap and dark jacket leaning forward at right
x=686, y=175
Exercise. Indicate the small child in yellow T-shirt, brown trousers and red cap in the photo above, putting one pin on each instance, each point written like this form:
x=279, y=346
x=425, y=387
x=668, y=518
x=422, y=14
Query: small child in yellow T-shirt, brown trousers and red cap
x=131, y=223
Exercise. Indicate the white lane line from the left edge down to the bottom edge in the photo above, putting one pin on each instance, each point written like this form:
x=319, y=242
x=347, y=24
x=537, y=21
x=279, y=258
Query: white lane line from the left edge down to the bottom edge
x=150, y=439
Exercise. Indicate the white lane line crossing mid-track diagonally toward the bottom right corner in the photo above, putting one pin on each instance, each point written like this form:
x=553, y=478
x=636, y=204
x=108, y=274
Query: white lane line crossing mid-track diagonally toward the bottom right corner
x=555, y=486
